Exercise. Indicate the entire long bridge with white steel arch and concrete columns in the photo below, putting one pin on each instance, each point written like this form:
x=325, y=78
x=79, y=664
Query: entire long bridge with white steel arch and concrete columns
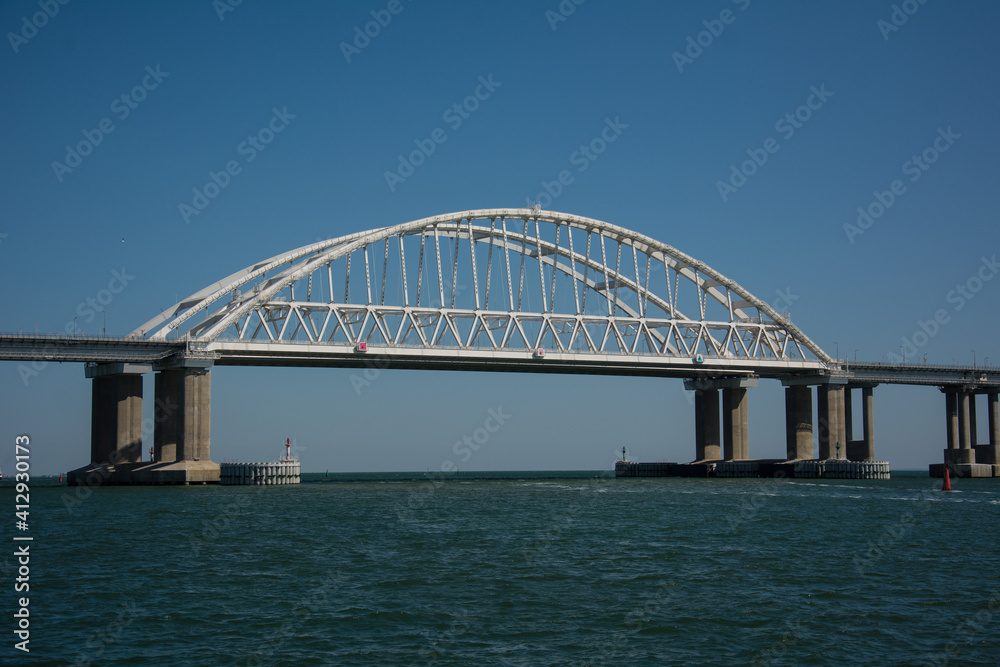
x=513, y=290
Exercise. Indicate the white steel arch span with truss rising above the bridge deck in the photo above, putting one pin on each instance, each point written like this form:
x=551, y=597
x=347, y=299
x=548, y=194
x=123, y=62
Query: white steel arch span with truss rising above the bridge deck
x=491, y=284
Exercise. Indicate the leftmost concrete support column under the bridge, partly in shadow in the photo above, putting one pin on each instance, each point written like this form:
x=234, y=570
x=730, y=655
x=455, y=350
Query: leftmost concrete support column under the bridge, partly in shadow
x=116, y=419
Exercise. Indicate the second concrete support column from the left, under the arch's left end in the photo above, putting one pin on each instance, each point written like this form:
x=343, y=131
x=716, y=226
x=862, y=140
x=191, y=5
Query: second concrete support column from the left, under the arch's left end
x=183, y=432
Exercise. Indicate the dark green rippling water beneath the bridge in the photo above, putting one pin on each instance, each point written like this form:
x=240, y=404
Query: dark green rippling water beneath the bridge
x=514, y=572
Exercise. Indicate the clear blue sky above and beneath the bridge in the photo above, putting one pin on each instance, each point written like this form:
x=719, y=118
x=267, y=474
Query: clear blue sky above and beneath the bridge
x=838, y=160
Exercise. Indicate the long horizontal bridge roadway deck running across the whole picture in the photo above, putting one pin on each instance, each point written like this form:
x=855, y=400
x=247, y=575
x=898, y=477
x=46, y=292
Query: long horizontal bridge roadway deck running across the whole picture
x=222, y=352
